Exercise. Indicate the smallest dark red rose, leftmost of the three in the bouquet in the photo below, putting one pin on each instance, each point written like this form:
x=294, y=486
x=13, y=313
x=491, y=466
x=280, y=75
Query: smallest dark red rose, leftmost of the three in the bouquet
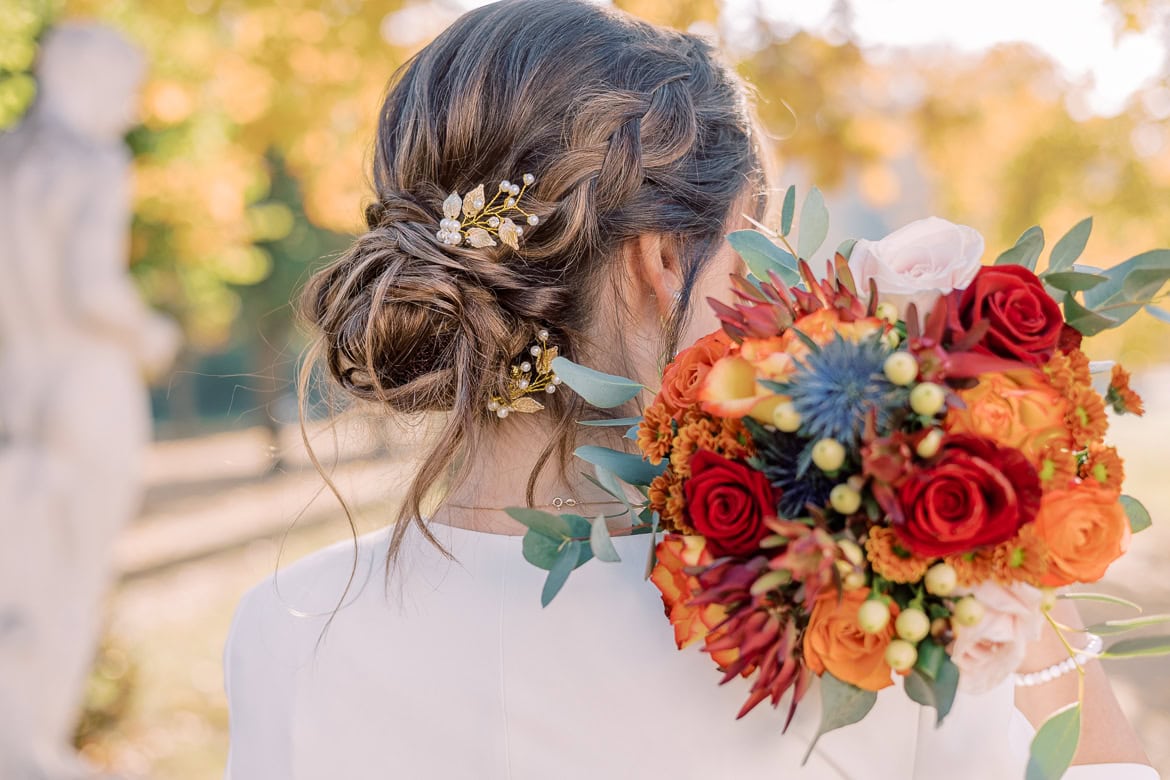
x=727, y=502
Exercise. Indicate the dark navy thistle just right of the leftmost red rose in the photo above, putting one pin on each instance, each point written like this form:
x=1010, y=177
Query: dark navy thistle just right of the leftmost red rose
x=783, y=459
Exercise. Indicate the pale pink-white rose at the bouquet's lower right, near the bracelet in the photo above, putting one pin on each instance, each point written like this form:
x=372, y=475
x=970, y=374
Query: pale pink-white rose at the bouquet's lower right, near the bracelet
x=994, y=648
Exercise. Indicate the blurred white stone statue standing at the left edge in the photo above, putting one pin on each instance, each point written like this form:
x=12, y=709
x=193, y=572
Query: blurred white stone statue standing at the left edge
x=75, y=343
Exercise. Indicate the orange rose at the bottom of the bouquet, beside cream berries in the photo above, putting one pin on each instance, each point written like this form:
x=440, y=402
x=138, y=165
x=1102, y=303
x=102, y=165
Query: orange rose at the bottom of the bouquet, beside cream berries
x=835, y=643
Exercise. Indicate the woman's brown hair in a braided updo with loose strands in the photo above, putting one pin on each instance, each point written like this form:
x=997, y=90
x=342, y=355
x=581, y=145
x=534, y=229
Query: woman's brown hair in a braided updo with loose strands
x=629, y=129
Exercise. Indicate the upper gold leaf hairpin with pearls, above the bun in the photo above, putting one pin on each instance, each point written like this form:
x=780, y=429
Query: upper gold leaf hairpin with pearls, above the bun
x=486, y=219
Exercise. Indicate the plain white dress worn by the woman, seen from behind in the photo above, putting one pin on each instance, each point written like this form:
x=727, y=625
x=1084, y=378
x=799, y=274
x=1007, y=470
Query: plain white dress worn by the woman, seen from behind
x=452, y=672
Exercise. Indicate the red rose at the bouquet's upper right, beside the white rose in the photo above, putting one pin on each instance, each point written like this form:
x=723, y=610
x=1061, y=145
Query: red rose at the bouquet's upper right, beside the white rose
x=1026, y=323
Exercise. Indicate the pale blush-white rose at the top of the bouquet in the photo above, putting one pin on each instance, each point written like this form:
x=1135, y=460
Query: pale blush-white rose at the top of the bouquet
x=919, y=264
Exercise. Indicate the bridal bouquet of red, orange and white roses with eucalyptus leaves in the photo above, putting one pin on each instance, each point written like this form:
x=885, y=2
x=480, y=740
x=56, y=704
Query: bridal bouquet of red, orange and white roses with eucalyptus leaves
x=883, y=473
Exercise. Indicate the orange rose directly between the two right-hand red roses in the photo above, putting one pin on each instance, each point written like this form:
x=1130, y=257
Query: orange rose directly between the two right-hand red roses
x=1018, y=410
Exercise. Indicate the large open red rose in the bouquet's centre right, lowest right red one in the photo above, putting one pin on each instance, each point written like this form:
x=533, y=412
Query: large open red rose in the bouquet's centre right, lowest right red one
x=974, y=494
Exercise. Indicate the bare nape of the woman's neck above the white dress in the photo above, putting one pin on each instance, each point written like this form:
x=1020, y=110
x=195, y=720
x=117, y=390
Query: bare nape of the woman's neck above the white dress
x=499, y=472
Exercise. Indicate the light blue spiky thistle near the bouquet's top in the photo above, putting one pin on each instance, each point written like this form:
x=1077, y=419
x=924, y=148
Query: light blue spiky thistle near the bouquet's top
x=838, y=385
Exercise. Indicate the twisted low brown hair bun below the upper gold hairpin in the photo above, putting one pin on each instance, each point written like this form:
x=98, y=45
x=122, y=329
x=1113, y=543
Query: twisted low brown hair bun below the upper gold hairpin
x=403, y=322
